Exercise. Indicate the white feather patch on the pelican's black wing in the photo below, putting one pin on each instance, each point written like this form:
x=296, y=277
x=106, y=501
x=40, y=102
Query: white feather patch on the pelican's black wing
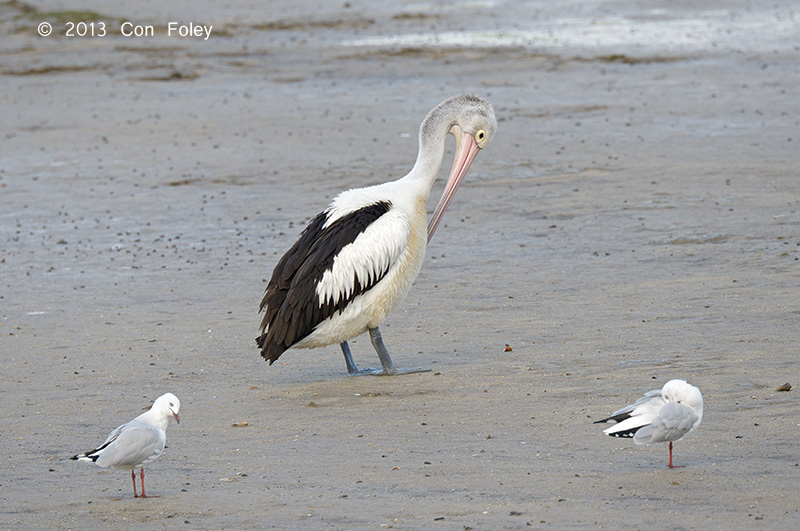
x=372, y=252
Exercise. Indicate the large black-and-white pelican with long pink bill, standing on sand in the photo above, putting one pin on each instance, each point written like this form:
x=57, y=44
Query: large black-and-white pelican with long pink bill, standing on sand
x=356, y=260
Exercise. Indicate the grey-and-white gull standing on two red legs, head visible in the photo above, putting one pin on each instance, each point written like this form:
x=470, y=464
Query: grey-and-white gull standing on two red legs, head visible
x=138, y=442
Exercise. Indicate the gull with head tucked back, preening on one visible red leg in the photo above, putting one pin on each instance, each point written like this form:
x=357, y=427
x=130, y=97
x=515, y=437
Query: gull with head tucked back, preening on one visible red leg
x=661, y=415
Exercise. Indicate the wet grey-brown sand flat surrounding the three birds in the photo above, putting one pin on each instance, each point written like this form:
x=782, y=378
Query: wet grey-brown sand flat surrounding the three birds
x=635, y=220
